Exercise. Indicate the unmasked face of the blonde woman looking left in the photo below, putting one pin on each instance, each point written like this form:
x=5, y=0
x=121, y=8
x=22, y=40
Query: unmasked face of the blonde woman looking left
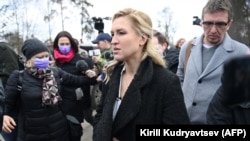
x=126, y=42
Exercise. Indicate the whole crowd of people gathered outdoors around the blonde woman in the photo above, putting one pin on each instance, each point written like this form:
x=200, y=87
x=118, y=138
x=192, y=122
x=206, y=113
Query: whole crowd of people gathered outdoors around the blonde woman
x=142, y=77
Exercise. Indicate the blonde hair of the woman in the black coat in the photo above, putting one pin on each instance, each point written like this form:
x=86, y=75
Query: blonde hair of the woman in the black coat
x=142, y=24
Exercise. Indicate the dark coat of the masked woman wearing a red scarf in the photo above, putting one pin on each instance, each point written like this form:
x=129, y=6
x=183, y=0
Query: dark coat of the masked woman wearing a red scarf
x=71, y=105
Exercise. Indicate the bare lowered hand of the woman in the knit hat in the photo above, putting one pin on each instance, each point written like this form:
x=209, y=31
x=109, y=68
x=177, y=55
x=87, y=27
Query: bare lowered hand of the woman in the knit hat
x=8, y=124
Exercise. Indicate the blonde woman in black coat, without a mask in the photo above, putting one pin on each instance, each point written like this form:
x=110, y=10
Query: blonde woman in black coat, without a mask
x=138, y=89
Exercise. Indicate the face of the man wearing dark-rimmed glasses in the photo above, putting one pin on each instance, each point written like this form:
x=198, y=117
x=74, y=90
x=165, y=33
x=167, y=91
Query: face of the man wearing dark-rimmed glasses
x=215, y=26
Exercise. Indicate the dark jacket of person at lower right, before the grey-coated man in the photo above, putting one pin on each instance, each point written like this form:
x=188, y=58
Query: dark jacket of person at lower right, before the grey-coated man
x=220, y=113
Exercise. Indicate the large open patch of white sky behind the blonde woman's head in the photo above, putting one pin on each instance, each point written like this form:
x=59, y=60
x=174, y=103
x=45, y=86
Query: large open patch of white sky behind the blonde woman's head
x=183, y=12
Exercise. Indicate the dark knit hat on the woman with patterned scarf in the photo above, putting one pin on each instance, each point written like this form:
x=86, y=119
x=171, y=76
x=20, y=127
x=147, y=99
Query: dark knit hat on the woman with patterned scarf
x=32, y=47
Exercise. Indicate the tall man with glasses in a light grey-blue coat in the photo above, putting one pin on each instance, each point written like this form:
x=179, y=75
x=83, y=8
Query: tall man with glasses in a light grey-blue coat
x=204, y=69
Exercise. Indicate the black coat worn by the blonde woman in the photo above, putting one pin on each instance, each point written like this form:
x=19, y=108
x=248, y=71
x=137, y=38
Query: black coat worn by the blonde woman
x=153, y=97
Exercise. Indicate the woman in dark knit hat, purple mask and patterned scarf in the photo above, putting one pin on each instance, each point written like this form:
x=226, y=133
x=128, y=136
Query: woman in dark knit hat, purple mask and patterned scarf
x=40, y=117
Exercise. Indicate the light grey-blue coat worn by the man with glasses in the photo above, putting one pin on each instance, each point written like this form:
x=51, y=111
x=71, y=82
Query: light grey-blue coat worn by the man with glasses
x=200, y=86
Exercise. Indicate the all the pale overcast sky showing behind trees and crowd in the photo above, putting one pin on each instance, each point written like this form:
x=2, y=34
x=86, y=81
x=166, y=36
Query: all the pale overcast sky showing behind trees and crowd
x=182, y=12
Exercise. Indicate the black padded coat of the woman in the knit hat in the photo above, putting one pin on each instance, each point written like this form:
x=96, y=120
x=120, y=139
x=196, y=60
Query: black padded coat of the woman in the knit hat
x=37, y=122
